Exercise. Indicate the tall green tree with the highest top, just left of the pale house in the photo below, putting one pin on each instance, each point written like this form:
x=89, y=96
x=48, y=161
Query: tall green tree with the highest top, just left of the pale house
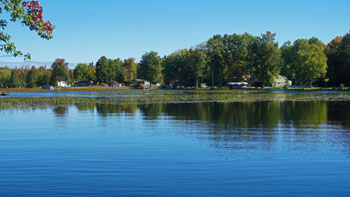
x=266, y=60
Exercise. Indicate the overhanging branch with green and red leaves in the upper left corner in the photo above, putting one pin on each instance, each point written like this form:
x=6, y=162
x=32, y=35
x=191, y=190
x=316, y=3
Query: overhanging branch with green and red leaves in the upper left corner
x=30, y=14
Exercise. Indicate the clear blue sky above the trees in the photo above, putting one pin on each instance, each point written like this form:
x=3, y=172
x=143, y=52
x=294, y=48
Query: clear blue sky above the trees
x=88, y=29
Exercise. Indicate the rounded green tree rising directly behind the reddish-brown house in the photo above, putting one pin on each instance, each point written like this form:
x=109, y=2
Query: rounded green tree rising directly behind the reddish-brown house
x=150, y=67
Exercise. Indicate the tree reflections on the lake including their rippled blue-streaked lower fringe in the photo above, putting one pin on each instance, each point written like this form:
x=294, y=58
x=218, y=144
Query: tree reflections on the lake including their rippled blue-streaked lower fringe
x=266, y=121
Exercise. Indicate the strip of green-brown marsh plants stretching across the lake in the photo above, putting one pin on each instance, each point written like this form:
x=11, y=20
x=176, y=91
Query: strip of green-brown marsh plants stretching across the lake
x=155, y=96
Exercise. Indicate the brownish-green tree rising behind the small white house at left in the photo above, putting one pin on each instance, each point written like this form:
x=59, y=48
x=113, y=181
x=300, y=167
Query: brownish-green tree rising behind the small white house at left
x=60, y=71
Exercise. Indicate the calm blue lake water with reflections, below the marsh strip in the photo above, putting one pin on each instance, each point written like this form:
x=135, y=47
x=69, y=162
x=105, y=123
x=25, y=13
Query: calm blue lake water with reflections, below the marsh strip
x=206, y=149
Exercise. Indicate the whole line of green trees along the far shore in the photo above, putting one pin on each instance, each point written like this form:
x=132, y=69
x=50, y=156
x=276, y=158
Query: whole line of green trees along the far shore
x=221, y=59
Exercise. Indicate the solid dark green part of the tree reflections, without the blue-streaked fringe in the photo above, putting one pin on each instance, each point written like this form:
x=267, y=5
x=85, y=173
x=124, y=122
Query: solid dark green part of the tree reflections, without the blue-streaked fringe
x=238, y=116
